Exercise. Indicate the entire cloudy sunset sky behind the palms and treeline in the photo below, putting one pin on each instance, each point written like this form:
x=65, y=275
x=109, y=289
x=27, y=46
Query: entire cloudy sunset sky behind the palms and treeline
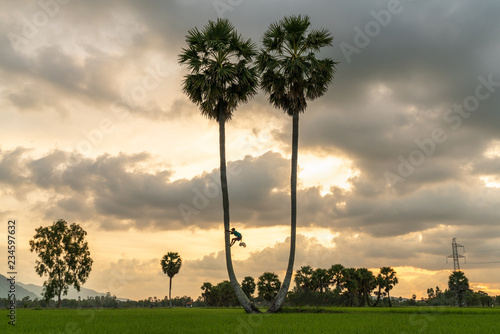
x=401, y=155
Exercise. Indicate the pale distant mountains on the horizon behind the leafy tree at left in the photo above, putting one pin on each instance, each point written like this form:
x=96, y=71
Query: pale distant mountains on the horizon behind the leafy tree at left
x=35, y=291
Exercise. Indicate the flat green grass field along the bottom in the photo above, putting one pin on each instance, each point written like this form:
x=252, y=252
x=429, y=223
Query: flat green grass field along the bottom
x=219, y=320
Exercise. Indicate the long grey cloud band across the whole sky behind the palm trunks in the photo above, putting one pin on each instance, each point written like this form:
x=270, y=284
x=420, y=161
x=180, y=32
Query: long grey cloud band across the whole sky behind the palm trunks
x=117, y=193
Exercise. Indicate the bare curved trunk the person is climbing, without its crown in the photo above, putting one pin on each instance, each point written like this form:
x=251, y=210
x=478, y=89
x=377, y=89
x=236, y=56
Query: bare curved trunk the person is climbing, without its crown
x=242, y=298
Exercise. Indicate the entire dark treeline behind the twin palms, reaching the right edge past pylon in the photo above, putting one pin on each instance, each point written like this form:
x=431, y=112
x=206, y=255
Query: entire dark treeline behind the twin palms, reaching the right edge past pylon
x=341, y=286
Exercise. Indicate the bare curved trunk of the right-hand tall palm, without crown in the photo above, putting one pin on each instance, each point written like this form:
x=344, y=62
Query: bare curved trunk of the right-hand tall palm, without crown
x=280, y=298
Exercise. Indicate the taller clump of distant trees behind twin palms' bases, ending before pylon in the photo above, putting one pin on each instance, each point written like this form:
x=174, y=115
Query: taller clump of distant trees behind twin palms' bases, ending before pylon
x=337, y=285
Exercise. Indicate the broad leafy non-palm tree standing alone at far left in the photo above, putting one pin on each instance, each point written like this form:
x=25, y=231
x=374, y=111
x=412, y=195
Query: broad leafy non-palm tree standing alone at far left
x=64, y=257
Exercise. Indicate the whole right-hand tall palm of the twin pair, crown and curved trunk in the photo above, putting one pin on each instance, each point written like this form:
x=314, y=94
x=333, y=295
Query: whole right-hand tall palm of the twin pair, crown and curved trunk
x=291, y=74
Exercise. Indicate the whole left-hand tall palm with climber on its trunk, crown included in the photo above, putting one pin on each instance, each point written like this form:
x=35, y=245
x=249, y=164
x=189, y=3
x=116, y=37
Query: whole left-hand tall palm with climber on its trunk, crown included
x=221, y=78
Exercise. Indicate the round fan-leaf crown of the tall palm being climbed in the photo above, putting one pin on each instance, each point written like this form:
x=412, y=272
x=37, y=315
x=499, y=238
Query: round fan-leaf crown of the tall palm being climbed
x=220, y=64
